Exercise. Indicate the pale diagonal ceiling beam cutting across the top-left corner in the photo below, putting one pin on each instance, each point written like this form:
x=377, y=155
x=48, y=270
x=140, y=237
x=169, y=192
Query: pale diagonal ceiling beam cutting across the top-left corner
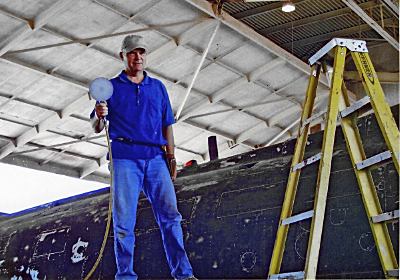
x=27, y=29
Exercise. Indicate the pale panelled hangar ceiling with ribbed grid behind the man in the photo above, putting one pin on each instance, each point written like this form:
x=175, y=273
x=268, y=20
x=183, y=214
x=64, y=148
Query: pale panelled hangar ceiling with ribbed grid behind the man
x=245, y=82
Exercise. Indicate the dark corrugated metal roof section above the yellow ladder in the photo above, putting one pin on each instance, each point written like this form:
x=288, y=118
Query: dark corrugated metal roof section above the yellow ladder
x=339, y=18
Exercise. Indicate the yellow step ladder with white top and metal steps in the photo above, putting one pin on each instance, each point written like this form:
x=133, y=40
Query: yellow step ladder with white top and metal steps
x=339, y=106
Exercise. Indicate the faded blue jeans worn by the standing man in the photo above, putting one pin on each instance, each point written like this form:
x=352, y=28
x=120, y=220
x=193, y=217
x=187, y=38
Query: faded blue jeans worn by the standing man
x=130, y=177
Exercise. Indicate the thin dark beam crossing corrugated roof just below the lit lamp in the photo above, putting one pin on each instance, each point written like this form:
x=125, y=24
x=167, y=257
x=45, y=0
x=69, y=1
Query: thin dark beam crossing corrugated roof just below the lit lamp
x=309, y=20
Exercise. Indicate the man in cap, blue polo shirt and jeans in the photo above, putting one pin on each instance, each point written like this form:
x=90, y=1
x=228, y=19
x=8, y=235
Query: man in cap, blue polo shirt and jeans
x=141, y=118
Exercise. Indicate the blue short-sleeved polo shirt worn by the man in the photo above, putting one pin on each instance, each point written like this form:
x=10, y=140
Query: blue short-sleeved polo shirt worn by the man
x=137, y=113
